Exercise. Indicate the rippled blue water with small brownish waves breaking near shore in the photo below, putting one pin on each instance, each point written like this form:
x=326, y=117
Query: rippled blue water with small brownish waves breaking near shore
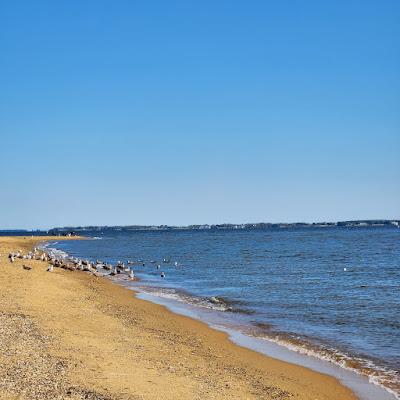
x=334, y=291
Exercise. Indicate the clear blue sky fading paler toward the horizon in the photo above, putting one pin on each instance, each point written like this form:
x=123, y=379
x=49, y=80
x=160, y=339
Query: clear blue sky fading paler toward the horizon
x=188, y=112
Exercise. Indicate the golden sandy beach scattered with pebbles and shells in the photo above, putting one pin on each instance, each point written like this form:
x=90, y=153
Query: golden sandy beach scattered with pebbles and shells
x=72, y=335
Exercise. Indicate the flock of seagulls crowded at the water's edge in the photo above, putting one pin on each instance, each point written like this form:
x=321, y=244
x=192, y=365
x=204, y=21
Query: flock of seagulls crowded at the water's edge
x=73, y=264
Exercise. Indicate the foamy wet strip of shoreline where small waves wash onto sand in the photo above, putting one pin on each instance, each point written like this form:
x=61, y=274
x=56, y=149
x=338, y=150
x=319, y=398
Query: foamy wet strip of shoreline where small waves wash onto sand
x=286, y=348
